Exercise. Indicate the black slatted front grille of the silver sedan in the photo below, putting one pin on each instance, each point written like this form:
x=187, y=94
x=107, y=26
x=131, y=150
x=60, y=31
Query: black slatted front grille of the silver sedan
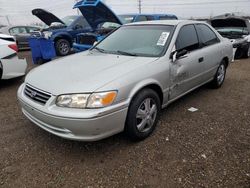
x=36, y=94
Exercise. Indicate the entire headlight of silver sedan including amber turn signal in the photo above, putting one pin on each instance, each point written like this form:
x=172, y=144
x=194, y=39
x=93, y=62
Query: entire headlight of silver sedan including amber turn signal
x=96, y=100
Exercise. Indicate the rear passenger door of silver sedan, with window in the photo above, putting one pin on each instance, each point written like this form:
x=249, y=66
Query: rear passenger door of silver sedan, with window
x=210, y=48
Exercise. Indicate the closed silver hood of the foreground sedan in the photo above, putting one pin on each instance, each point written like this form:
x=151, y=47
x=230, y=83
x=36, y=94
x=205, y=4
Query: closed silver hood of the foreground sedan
x=83, y=72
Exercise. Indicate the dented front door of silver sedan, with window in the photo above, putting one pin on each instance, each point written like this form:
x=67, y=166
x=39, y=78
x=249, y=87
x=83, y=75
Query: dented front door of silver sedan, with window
x=186, y=72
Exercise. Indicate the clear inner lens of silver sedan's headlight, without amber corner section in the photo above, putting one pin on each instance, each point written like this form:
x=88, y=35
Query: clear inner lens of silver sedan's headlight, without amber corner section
x=72, y=101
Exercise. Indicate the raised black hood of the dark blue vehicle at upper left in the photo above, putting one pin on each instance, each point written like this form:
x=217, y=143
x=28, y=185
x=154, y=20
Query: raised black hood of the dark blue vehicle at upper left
x=47, y=17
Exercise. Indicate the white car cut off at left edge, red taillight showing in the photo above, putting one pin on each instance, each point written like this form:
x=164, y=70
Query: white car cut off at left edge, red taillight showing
x=10, y=65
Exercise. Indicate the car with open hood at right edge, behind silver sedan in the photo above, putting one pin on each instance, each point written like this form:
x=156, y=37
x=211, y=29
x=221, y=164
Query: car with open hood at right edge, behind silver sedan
x=237, y=29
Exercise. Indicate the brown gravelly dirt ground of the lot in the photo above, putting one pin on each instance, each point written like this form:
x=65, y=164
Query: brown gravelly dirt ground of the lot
x=207, y=148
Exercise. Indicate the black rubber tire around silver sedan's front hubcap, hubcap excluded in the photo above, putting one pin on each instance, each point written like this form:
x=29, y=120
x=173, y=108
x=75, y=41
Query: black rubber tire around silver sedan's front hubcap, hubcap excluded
x=131, y=123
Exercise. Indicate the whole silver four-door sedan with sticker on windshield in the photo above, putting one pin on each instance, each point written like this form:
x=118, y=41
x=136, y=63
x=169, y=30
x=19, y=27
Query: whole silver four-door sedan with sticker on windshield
x=122, y=85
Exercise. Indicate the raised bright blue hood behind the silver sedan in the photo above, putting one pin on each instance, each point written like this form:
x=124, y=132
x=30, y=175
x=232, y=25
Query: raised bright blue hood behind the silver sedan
x=96, y=12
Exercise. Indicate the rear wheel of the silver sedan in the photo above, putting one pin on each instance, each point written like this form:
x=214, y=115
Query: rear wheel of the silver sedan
x=220, y=75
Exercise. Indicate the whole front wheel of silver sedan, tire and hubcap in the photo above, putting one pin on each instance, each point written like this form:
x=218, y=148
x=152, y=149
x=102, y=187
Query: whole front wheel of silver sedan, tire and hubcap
x=143, y=115
